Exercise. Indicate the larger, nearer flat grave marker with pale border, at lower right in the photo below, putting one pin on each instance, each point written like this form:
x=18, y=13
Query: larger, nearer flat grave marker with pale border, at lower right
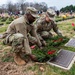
x=64, y=59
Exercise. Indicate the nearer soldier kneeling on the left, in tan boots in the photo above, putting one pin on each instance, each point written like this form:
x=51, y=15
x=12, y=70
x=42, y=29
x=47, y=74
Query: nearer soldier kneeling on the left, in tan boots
x=16, y=35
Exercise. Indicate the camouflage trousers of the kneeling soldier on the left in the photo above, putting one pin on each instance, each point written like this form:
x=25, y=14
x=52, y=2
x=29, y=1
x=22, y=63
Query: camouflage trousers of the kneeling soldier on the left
x=17, y=42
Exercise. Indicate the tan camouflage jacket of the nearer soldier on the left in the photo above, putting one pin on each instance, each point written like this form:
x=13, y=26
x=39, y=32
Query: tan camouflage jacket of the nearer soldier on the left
x=21, y=25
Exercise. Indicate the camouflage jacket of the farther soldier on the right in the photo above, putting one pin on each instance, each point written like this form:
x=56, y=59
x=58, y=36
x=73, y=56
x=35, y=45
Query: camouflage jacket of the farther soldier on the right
x=42, y=25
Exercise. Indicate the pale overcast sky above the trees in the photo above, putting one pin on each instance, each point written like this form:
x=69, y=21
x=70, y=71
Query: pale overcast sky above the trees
x=58, y=3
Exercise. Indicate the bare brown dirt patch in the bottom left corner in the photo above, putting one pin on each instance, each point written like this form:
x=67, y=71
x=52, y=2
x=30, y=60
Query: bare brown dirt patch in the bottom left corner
x=10, y=68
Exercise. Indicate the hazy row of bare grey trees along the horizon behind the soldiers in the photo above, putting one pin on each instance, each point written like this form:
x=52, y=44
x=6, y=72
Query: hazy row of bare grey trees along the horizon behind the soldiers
x=22, y=5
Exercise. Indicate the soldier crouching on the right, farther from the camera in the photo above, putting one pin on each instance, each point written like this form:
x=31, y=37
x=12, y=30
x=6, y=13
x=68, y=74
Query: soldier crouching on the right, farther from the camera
x=45, y=23
